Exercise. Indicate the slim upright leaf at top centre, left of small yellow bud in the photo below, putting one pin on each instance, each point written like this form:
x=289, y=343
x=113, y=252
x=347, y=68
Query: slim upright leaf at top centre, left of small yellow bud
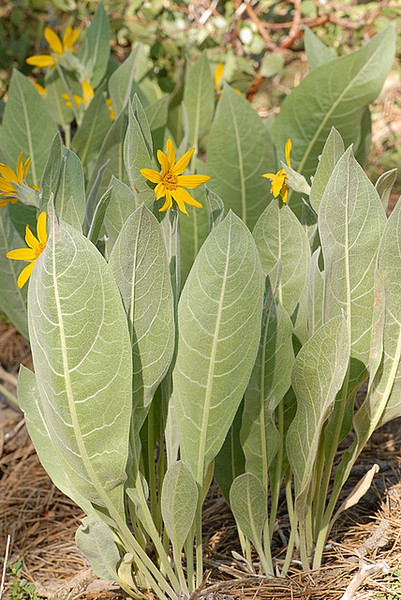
x=199, y=98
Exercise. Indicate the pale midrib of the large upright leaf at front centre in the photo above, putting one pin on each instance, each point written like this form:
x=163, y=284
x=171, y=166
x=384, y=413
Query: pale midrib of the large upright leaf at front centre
x=209, y=386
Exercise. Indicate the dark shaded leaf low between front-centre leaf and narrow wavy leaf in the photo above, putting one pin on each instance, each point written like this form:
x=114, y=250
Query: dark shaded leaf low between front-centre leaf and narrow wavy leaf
x=230, y=461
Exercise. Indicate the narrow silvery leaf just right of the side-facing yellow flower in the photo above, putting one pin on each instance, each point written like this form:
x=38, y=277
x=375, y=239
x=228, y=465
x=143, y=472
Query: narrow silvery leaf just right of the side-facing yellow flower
x=332, y=152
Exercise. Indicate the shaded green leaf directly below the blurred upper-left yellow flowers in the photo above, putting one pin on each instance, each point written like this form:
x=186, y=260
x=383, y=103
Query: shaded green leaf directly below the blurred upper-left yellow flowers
x=90, y=134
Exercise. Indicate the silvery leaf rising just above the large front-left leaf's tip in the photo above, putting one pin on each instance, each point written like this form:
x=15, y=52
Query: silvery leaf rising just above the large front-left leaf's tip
x=70, y=200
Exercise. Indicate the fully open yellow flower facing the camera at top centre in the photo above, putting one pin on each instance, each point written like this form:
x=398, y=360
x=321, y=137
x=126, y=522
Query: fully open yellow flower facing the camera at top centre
x=171, y=182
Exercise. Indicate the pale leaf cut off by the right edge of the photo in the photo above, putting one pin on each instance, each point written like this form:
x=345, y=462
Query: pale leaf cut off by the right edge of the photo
x=383, y=401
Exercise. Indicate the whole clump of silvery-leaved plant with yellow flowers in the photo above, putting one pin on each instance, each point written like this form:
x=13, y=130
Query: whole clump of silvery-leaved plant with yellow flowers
x=157, y=331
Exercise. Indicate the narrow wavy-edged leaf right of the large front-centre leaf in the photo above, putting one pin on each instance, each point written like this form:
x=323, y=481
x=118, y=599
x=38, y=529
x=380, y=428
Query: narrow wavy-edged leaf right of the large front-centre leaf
x=270, y=380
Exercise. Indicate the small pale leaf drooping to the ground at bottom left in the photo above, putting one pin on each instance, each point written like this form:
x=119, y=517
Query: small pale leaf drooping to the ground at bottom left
x=97, y=542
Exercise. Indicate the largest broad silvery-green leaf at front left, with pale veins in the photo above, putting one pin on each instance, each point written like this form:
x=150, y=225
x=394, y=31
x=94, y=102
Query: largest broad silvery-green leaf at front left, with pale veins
x=82, y=358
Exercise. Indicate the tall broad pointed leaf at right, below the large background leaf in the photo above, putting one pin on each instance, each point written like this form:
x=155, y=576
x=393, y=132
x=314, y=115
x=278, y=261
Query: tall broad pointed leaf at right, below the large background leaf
x=351, y=222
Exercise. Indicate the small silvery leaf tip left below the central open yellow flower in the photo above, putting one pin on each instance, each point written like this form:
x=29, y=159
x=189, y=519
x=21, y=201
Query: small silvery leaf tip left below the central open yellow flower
x=122, y=204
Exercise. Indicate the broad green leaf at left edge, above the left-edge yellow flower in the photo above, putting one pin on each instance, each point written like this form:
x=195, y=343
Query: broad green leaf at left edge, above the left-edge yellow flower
x=27, y=125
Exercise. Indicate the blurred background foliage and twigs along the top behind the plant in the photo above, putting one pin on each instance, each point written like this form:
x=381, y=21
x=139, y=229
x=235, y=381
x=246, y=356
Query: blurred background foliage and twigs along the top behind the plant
x=261, y=42
